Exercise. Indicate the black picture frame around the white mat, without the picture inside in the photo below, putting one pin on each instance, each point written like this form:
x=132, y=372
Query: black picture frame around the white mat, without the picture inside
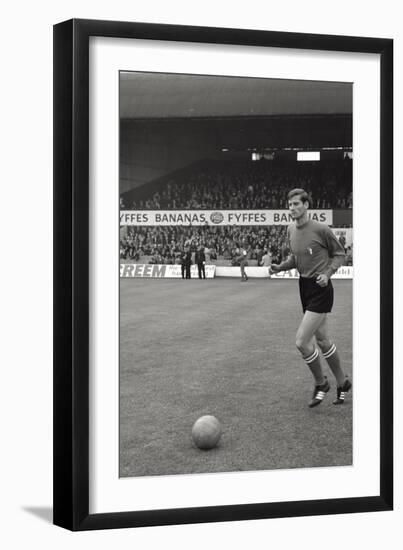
x=71, y=274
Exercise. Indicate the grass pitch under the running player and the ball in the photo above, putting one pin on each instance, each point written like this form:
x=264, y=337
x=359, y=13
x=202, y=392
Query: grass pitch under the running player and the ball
x=221, y=347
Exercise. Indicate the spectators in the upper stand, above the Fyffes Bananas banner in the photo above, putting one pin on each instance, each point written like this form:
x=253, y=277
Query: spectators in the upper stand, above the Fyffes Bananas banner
x=252, y=185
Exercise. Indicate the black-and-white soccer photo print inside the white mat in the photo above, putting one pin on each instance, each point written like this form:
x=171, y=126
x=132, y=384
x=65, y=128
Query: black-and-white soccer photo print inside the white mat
x=236, y=274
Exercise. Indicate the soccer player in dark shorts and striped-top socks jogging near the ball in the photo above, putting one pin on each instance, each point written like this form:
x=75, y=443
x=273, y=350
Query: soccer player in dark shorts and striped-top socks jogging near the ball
x=317, y=254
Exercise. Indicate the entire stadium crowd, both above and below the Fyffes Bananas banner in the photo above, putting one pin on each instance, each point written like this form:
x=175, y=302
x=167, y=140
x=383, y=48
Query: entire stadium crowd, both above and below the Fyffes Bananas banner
x=247, y=185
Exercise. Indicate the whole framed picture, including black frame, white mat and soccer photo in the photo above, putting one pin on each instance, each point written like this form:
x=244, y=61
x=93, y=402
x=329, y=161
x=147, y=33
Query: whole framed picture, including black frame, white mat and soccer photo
x=223, y=351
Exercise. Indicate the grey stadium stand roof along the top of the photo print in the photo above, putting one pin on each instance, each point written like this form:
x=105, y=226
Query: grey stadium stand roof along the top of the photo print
x=158, y=95
